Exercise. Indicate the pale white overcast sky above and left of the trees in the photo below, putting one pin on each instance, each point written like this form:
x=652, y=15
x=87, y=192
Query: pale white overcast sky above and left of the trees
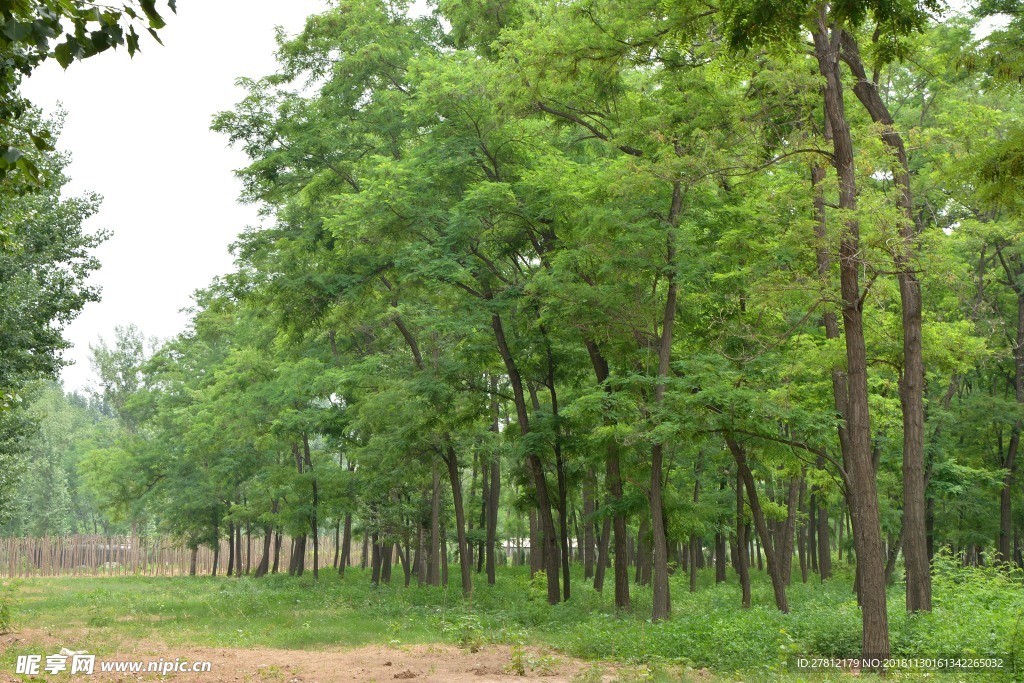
x=139, y=133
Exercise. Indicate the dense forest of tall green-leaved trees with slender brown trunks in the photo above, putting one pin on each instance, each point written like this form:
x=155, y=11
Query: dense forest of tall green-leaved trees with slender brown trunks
x=671, y=313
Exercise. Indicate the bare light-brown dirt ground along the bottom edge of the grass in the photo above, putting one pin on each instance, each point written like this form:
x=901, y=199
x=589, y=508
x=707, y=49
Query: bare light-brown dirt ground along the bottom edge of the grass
x=378, y=664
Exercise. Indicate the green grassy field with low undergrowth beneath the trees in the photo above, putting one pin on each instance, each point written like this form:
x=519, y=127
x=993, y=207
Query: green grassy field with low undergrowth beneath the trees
x=977, y=614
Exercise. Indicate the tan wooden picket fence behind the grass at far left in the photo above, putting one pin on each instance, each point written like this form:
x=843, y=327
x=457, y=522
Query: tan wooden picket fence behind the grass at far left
x=143, y=557
